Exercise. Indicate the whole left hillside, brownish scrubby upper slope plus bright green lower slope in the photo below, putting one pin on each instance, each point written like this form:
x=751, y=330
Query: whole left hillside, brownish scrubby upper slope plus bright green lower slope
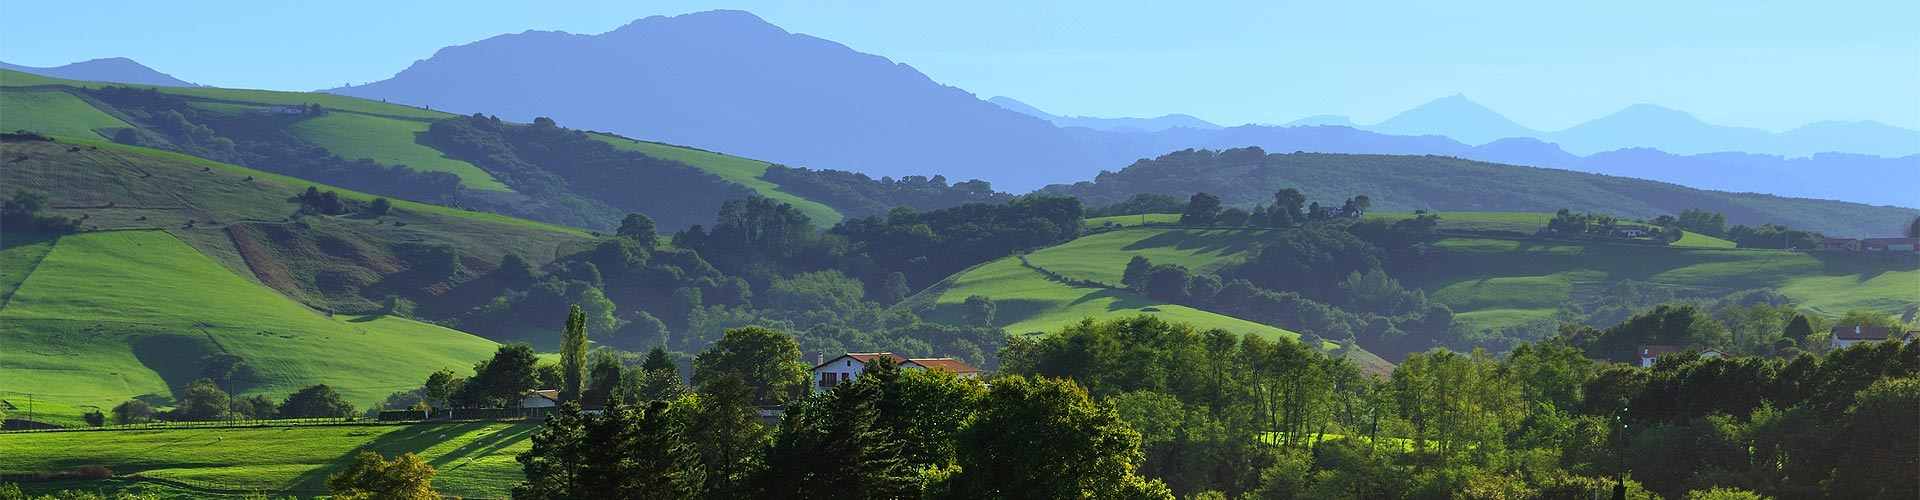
x=181, y=259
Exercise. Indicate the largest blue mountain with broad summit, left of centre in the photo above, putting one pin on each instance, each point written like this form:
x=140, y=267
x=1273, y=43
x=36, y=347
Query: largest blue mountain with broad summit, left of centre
x=732, y=82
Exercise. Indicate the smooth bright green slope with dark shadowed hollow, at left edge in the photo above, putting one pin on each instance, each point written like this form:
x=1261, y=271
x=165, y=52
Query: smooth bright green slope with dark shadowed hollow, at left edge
x=124, y=314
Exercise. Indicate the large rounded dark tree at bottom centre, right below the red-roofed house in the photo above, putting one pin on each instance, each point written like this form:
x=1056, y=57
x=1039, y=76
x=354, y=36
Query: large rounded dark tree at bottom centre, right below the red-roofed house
x=1047, y=439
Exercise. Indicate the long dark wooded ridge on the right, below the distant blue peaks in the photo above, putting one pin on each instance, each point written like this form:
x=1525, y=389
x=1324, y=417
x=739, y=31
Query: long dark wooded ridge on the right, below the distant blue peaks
x=1403, y=184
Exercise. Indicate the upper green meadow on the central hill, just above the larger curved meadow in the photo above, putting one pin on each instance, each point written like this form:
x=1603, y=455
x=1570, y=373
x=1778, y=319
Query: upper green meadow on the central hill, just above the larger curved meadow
x=1105, y=257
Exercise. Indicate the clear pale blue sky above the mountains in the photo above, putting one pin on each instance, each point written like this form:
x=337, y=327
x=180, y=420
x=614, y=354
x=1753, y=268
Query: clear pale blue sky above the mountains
x=1547, y=64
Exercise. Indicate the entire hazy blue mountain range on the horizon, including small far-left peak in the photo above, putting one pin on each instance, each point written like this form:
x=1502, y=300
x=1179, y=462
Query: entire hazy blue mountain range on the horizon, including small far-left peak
x=732, y=82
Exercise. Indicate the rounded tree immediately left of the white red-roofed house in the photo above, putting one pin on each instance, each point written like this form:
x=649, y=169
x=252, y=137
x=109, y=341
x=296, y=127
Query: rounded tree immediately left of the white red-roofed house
x=765, y=361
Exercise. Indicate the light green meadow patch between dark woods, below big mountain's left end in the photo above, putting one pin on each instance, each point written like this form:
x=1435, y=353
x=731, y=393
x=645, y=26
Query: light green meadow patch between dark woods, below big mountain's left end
x=391, y=143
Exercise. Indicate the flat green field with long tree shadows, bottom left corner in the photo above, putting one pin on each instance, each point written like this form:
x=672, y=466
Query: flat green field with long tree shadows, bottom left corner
x=475, y=461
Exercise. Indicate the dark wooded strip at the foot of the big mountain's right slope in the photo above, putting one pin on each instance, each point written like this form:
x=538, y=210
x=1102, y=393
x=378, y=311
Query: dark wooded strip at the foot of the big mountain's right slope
x=859, y=195
